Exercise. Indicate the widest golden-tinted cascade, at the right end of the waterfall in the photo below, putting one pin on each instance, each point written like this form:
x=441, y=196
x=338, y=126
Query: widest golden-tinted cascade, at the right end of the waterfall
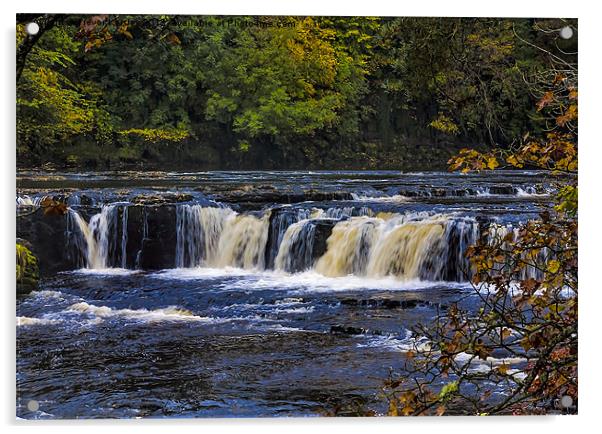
x=405, y=246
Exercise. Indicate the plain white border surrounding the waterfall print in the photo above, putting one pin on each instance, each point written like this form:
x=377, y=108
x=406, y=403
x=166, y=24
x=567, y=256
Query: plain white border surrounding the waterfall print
x=590, y=185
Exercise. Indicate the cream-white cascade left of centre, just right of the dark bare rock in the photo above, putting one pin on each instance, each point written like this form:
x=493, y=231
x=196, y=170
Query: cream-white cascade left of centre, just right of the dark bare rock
x=220, y=237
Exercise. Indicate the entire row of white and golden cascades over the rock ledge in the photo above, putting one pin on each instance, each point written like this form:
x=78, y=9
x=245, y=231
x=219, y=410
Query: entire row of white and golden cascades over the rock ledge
x=334, y=242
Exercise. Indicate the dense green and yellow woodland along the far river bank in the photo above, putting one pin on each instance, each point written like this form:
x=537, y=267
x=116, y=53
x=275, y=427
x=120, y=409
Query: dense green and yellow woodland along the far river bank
x=199, y=92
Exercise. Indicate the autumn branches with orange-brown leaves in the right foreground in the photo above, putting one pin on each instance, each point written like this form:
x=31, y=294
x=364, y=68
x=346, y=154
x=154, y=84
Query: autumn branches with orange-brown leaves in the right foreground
x=518, y=353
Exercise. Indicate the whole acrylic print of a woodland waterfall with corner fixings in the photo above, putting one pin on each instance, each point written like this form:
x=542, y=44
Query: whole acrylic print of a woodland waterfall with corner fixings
x=295, y=216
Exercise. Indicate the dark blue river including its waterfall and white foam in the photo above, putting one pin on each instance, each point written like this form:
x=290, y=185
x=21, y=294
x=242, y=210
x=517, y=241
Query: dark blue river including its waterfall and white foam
x=285, y=293
